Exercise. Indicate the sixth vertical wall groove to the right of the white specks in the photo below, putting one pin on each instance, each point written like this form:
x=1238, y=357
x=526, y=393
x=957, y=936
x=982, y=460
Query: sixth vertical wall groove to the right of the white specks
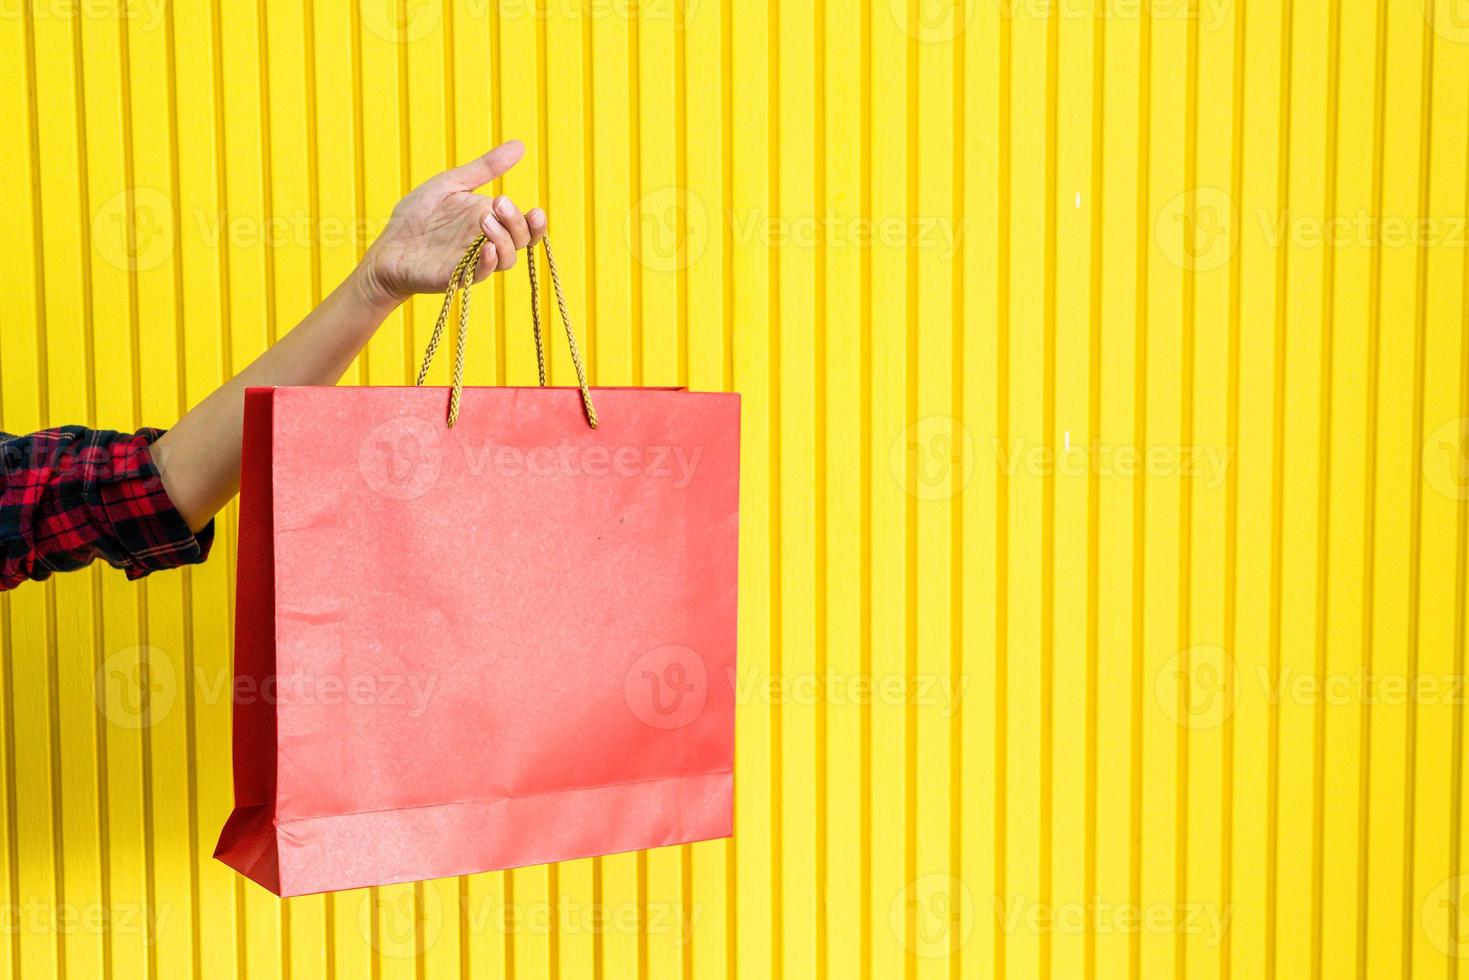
x=1329, y=281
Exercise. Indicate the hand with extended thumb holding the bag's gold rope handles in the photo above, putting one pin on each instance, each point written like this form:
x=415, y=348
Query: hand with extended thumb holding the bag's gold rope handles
x=431, y=228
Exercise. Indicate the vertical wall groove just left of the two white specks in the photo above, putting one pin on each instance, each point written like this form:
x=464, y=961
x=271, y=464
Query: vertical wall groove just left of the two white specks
x=1048, y=490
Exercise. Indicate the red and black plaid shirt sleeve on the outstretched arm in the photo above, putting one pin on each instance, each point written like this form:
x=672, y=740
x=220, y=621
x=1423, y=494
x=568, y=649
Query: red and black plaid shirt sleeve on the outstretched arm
x=73, y=496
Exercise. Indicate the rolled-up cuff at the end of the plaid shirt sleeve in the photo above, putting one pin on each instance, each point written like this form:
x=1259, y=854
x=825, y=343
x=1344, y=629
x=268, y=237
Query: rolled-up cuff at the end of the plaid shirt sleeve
x=148, y=528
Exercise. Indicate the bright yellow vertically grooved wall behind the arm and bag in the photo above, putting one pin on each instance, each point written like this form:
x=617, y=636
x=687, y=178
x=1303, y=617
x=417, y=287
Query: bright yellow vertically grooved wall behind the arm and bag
x=1064, y=393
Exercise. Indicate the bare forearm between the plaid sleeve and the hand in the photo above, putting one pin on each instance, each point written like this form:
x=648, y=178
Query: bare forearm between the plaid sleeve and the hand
x=199, y=459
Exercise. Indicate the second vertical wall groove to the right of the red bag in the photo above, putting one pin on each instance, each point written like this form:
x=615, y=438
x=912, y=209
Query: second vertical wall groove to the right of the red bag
x=822, y=462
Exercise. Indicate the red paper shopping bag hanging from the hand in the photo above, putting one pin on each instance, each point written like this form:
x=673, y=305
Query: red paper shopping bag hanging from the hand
x=484, y=646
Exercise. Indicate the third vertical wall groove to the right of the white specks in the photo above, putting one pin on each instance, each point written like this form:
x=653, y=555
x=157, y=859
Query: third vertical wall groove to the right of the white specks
x=1186, y=430
